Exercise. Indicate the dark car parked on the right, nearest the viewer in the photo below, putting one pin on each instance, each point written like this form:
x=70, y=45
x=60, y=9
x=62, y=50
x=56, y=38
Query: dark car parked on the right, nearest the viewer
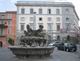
x=67, y=47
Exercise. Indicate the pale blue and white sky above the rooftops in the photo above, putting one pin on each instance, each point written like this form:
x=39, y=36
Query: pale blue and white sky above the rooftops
x=9, y=5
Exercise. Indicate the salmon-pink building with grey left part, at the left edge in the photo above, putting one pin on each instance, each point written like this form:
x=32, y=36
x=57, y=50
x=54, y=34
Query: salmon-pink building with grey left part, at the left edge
x=7, y=27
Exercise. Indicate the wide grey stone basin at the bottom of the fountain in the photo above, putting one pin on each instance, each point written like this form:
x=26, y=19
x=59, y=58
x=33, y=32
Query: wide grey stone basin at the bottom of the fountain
x=31, y=51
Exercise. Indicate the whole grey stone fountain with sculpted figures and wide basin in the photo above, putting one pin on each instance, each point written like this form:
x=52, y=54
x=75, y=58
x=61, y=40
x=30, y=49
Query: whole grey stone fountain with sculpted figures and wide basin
x=33, y=43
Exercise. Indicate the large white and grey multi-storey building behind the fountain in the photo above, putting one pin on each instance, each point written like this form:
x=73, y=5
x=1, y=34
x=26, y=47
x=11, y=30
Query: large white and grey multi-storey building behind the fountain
x=58, y=18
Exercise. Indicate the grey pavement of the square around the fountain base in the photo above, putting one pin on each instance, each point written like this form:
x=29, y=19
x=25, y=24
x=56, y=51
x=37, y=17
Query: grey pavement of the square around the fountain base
x=6, y=55
